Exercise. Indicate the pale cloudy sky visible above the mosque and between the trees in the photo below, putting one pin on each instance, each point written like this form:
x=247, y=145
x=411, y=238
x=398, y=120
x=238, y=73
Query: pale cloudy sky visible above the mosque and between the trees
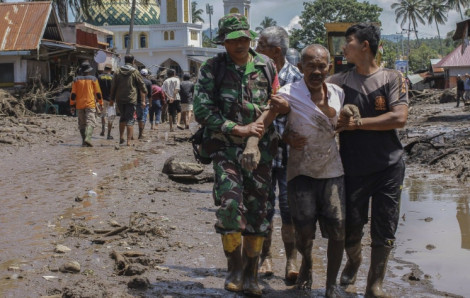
x=286, y=13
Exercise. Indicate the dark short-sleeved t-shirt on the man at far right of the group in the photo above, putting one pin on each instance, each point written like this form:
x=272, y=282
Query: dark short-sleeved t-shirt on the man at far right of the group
x=365, y=152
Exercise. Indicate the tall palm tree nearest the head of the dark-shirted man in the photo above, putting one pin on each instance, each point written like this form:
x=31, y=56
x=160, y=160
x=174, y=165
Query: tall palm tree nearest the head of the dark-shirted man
x=410, y=11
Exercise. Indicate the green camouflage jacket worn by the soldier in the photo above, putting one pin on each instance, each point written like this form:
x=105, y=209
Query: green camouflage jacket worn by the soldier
x=241, y=97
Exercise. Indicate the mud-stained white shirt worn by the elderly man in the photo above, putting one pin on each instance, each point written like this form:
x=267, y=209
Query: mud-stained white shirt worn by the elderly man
x=320, y=157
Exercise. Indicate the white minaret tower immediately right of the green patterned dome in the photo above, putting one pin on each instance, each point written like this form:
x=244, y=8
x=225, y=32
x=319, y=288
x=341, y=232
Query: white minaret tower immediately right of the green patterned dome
x=175, y=11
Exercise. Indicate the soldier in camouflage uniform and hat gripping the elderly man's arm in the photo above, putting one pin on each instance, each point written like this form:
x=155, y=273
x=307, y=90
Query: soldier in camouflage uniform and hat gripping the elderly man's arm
x=230, y=115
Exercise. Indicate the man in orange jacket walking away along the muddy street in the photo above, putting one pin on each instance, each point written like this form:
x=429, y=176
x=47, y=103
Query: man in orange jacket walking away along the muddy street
x=85, y=92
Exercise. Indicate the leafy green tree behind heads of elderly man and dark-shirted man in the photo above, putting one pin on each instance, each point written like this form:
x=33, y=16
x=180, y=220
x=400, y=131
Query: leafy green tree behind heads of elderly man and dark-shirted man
x=316, y=14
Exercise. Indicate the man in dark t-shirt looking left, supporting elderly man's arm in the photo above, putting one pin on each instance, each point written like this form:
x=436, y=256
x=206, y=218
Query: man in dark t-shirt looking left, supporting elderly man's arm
x=371, y=153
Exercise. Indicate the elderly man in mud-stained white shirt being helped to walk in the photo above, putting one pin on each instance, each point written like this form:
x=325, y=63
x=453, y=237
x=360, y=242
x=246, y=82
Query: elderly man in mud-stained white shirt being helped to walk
x=315, y=177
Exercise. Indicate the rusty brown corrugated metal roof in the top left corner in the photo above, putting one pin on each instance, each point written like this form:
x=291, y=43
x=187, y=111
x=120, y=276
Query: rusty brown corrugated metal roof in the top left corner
x=23, y=24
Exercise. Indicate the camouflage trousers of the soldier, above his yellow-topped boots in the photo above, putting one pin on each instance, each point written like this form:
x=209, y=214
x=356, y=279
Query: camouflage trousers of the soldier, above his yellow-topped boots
x=242, y=196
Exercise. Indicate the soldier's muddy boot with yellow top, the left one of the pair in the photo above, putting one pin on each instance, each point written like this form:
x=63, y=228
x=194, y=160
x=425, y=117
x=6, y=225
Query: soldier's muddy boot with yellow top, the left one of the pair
x=233, y=251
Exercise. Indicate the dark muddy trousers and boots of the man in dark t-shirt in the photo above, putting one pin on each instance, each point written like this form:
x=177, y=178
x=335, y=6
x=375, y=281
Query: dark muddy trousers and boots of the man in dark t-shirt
x=383, y=190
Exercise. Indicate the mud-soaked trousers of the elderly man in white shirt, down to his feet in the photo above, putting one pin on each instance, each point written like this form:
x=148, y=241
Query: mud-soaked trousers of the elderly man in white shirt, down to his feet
x=312, y=200
